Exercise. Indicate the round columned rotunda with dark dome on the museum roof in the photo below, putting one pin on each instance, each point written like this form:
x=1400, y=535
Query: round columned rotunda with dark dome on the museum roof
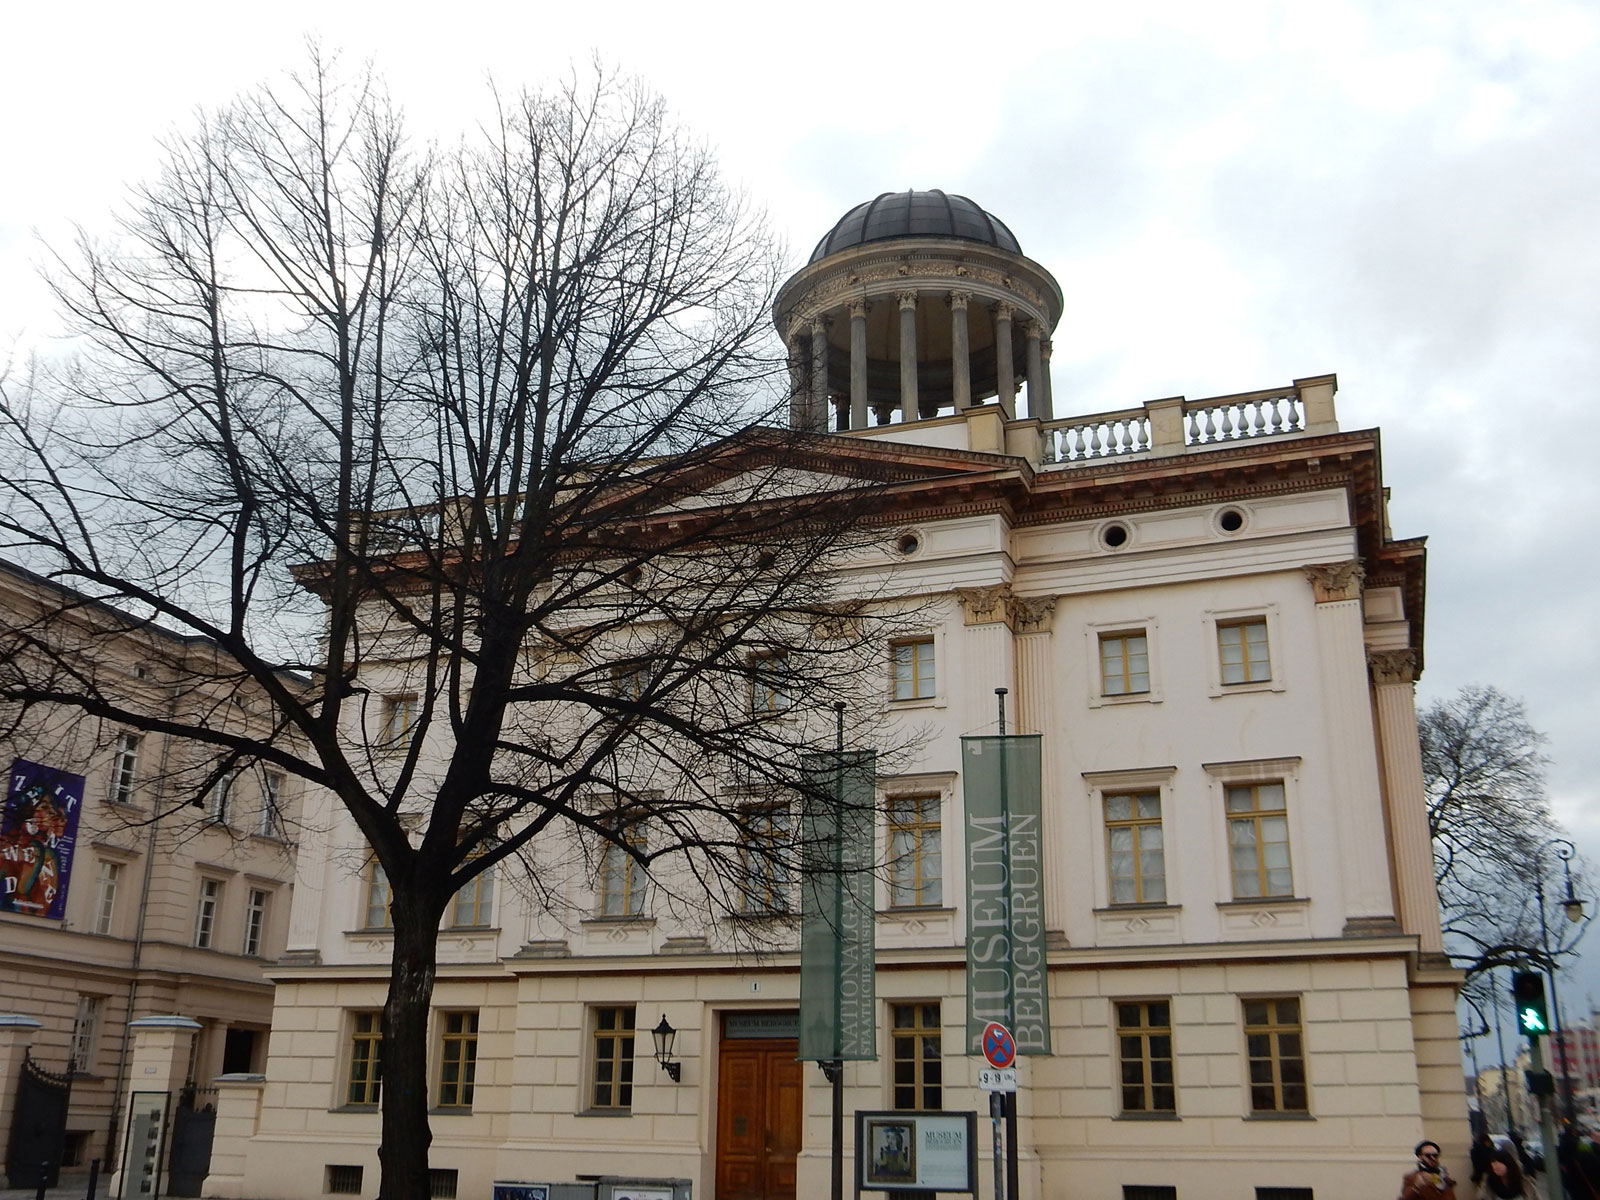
x=916, y=306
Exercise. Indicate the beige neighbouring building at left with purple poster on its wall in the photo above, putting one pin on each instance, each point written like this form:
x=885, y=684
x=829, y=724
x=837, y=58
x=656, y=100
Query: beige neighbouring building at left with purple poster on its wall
x=172, y=906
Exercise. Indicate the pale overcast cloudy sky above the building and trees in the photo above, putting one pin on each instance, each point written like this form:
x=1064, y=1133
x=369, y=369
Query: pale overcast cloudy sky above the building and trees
x=1233, y=196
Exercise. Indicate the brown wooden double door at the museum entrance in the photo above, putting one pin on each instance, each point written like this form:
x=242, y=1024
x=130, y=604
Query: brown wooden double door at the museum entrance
x=758, y=1119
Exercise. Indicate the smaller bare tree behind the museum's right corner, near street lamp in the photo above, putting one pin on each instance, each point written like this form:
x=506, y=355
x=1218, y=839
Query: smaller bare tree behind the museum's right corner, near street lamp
x=1490, y=820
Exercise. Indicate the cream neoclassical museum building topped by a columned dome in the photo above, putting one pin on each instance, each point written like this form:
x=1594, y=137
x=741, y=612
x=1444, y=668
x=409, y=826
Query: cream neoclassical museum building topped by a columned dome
x=1199, y=607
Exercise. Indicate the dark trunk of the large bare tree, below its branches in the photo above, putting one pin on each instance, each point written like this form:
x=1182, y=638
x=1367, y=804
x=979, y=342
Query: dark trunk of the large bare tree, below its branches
x=406, y=1130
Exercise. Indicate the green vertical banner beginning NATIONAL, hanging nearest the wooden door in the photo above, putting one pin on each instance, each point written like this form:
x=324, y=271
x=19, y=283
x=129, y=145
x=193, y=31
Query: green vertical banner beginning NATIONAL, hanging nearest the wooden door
x=838, y=916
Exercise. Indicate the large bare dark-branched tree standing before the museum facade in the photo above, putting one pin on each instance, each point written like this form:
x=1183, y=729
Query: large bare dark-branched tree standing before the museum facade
x=487, y=425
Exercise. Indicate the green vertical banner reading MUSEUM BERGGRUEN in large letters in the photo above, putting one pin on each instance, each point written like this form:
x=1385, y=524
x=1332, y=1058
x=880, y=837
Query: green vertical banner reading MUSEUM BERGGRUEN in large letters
x=1002, y=778
